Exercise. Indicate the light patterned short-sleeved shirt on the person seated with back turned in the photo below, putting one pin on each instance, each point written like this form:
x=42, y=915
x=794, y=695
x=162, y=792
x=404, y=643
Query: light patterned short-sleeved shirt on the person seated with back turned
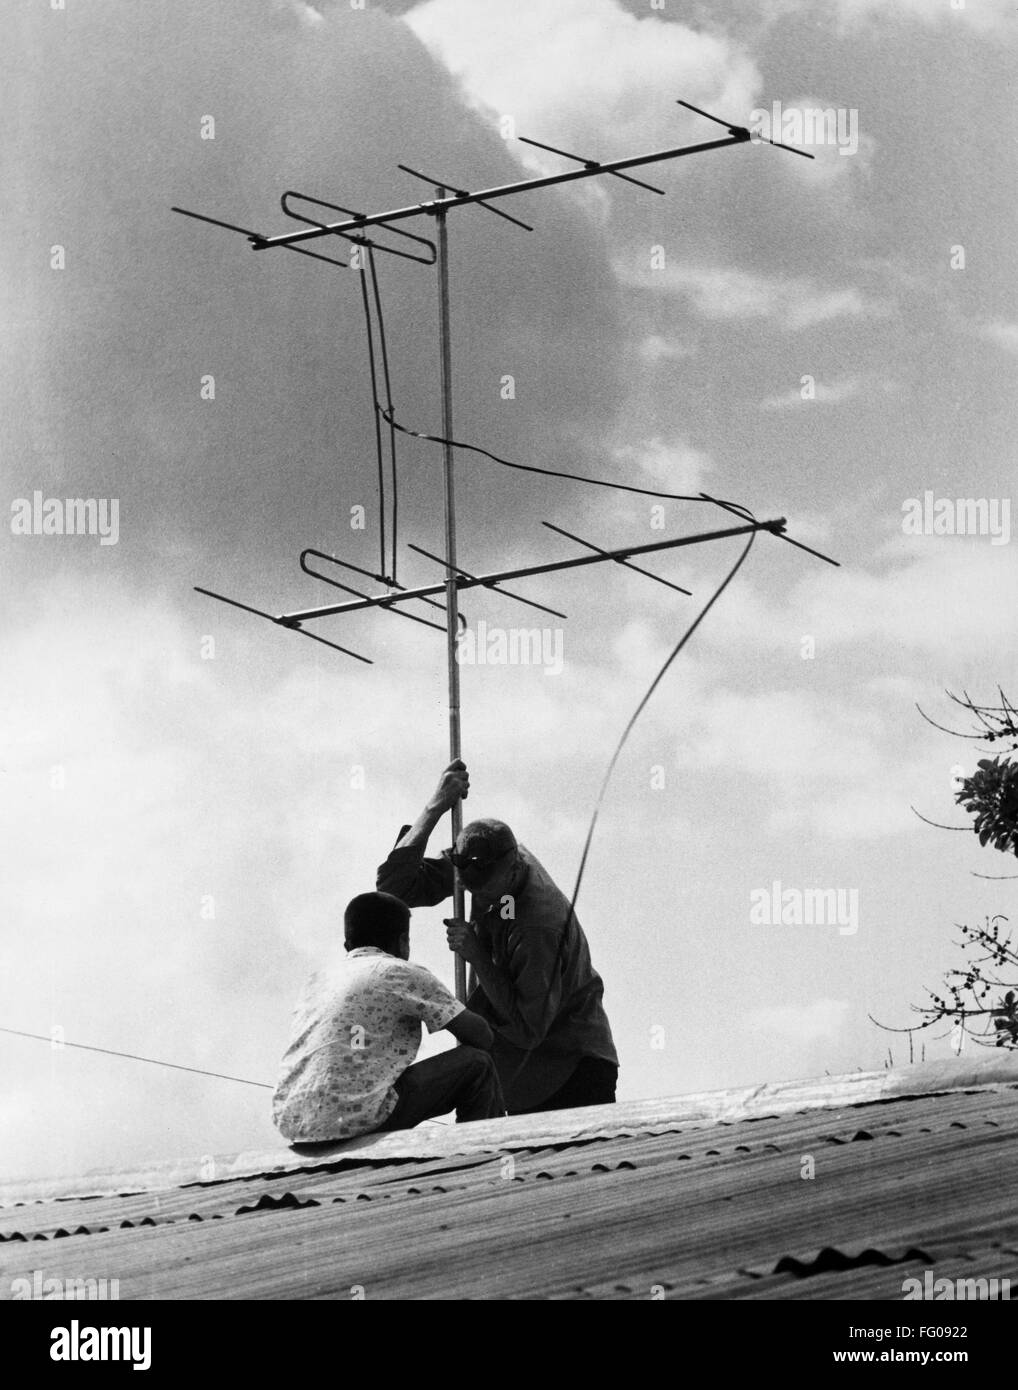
x=355, y=1031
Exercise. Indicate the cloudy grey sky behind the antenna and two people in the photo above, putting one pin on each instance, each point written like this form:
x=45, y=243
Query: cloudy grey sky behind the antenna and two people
x=190, y=796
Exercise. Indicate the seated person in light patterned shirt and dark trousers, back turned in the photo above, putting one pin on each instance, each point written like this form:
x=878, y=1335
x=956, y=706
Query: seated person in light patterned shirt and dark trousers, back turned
x=350, y=1067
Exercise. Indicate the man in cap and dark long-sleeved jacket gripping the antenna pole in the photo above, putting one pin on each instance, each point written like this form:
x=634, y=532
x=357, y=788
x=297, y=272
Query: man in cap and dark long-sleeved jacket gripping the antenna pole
x=531, y=971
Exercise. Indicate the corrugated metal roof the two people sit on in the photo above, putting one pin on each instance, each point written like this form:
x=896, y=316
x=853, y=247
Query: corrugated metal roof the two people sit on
x=710, y=1207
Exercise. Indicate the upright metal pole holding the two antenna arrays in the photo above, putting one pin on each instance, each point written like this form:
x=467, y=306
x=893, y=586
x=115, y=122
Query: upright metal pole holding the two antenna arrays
x=451, y=591
